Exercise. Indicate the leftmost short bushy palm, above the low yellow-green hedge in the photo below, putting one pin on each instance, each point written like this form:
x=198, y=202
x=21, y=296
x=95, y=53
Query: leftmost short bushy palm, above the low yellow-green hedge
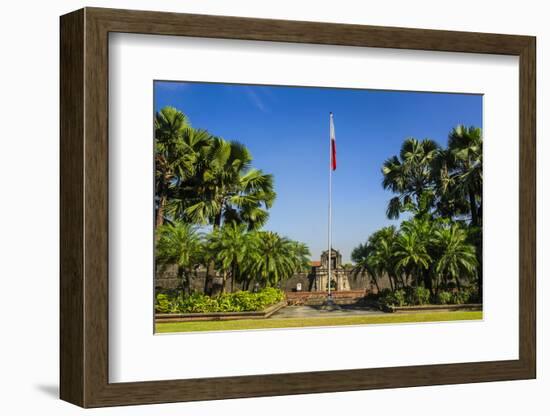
x=180, y=244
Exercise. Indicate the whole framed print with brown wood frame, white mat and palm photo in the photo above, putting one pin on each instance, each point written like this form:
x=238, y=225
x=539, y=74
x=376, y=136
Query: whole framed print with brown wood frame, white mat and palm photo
x=255, y=207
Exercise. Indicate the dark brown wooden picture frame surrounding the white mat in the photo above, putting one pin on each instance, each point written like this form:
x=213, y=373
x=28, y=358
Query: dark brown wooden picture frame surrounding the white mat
x=84, y=207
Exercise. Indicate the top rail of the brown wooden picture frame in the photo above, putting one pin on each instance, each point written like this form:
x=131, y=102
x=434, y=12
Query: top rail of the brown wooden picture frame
x=162, y=23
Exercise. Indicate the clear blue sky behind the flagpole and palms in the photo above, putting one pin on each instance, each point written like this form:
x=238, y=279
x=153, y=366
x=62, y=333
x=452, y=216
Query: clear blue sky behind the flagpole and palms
x=287, y=132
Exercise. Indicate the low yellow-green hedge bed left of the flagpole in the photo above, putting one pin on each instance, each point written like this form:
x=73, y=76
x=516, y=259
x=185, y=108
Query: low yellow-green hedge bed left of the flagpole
x=226, y=302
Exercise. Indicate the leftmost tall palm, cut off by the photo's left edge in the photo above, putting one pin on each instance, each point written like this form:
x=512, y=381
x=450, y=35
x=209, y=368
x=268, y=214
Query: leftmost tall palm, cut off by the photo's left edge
x=169, y=154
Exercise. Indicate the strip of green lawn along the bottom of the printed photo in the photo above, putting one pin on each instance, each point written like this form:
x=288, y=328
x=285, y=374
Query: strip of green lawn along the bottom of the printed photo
x=321, y=321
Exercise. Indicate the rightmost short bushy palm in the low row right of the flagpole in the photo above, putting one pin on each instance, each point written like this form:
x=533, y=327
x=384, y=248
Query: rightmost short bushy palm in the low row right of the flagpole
x=456, y=257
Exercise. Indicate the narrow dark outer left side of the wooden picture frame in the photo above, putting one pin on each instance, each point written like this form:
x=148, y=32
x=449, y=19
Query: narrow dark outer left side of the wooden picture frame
x=71, y=100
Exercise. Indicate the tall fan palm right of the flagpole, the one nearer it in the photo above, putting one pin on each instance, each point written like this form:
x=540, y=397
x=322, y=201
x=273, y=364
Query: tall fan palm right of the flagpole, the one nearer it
x=409, y=175
